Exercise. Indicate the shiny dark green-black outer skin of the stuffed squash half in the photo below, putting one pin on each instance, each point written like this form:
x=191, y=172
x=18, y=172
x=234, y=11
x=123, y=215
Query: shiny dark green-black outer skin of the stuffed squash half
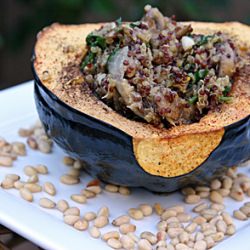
x=108, y=151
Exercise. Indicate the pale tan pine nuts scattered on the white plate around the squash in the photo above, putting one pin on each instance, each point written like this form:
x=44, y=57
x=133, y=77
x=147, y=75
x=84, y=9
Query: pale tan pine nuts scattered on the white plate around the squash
x=176, y=229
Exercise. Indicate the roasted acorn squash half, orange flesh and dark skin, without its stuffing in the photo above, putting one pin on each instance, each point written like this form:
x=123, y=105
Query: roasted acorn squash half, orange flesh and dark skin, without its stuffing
x=125, y=152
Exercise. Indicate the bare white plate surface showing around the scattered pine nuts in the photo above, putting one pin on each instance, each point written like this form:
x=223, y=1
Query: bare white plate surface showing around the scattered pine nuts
x=45, y=227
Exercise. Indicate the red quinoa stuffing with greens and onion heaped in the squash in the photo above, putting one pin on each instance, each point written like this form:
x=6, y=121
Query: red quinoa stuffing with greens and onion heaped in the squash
x=156, y=70
